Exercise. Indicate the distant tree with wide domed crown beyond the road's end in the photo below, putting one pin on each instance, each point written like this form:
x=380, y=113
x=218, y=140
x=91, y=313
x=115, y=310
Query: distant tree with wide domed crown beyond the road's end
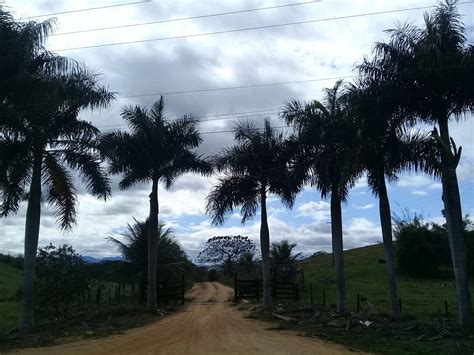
x=226, y=251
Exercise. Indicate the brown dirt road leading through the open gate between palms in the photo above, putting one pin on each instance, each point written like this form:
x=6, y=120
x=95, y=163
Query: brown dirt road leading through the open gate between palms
x=208, y=325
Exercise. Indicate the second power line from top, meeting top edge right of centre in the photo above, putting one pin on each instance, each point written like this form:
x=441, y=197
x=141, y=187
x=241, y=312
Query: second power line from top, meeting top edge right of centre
x=186, y=18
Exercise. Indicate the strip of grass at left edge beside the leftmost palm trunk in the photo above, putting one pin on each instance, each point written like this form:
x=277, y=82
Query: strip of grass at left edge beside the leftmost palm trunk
x=10, y=281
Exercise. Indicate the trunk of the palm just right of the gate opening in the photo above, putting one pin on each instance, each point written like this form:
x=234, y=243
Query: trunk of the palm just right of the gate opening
x=265, y=247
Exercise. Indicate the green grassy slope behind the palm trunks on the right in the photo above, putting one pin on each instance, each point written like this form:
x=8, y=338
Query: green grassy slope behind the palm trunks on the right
x=365, y=275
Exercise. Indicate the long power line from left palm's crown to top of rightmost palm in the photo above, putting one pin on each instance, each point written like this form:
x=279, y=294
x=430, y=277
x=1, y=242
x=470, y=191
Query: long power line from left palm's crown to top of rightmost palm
x=250, y=28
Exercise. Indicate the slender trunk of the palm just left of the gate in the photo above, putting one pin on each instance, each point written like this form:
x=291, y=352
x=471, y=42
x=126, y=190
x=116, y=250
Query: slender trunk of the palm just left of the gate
x=152, y=247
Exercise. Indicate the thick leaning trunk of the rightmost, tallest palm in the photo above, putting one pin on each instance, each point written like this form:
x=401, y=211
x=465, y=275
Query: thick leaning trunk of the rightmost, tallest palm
x=453, y=215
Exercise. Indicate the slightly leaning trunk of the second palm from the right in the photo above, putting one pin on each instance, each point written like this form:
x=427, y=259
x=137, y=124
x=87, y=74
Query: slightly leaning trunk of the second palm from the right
x=386, y=224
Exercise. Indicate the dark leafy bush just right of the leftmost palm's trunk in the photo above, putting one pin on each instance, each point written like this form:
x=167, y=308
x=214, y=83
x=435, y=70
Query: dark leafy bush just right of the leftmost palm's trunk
x=60, y=281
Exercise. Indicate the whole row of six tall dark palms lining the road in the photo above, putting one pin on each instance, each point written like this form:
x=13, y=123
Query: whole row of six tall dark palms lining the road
x=419, y=75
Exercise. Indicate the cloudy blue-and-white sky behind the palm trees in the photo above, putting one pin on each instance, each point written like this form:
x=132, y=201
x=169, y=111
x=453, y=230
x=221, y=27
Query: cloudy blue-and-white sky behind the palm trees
x=312, y=55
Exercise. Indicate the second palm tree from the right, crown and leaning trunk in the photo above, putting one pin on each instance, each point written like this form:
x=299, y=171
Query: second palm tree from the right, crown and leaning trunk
x=386, y=148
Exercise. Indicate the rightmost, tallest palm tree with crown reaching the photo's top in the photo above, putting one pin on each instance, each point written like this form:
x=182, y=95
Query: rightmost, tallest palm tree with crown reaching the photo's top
x=432, y=67
